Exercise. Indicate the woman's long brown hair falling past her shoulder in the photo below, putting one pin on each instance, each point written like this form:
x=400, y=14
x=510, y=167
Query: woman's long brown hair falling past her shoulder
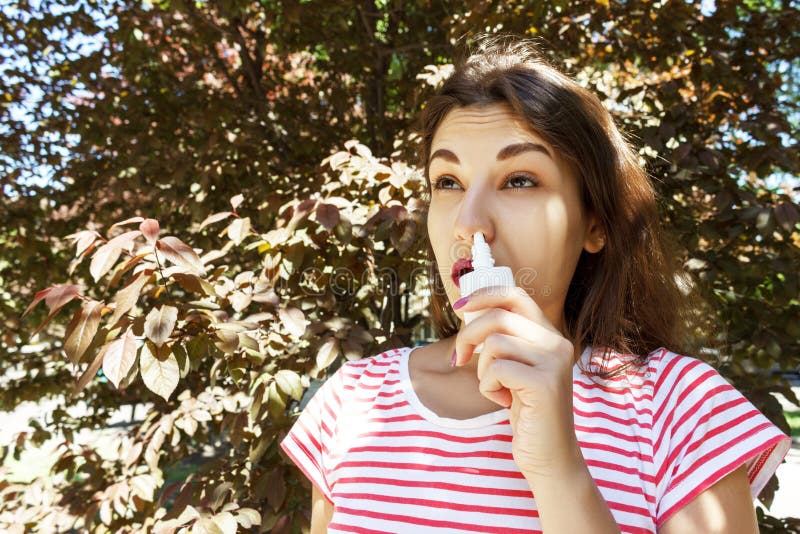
x=625, y=298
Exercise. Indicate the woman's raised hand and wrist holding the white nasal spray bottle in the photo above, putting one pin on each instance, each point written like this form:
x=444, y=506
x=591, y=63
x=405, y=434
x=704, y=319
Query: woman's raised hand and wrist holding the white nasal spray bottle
x=525, y=364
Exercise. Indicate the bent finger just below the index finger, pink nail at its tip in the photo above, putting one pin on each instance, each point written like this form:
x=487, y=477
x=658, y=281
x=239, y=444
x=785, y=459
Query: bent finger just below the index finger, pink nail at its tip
x=504, y=322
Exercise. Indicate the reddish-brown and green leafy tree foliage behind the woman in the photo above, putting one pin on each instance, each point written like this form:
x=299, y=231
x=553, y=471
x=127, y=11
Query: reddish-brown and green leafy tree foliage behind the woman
x=293, y=120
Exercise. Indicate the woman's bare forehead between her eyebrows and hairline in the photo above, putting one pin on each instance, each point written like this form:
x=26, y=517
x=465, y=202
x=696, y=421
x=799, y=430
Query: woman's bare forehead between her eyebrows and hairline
x=494, y=122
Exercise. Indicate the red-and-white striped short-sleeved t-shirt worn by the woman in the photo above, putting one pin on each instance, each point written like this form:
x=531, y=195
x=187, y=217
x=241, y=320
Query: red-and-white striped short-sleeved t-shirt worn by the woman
x=652, y=440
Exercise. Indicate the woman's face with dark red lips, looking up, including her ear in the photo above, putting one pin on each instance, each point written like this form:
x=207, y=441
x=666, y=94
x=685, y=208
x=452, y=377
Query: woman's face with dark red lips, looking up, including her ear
x=490, y=173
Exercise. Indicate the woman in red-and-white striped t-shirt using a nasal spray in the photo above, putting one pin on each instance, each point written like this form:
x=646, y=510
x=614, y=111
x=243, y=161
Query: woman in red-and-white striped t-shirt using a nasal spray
x=600, y=426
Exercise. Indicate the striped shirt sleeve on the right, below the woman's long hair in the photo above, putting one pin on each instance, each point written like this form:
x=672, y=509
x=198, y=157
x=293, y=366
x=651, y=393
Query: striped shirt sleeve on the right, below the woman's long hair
x=704, y=429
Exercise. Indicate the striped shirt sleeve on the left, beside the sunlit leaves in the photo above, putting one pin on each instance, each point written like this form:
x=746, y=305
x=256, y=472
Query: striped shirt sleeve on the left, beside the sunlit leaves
x=309, y=441
